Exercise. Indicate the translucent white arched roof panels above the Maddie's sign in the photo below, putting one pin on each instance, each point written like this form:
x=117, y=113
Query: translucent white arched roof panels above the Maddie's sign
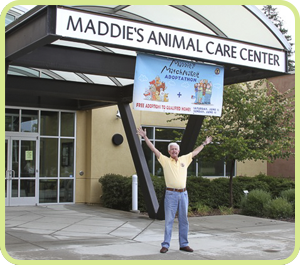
x=240, y=22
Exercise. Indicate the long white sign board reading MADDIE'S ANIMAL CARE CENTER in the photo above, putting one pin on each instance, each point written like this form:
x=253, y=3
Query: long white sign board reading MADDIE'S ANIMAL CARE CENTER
x=109, y=30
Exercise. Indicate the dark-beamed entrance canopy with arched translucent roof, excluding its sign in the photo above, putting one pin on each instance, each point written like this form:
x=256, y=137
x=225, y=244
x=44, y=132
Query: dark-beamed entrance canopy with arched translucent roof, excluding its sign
x=81, y=73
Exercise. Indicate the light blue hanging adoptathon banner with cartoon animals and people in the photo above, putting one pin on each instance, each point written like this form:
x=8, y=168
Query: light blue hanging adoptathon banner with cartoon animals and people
x=177, y=86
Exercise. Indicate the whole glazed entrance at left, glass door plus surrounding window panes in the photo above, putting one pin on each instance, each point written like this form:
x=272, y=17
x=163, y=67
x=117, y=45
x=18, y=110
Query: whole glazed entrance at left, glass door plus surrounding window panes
x=39, y=156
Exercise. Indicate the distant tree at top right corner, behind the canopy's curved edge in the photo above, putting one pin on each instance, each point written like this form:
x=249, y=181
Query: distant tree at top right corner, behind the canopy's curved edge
x=272, y=13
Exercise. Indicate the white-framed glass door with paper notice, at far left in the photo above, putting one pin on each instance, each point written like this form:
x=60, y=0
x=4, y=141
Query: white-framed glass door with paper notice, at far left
x=21, y=171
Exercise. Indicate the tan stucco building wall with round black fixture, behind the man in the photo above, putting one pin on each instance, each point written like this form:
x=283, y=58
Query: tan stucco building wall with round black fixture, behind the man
x=96, y=155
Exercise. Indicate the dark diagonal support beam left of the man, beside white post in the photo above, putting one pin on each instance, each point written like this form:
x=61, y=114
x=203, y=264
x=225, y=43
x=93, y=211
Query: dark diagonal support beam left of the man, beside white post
x=139, y=160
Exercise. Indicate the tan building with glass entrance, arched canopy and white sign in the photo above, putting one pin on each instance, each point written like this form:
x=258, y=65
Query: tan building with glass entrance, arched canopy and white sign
x=65, y=88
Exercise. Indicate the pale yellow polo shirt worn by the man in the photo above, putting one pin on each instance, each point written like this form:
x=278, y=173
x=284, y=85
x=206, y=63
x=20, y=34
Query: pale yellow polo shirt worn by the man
x=175, y=172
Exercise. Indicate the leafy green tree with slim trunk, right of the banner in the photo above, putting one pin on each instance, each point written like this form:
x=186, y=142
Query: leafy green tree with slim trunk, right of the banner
x=256, y=124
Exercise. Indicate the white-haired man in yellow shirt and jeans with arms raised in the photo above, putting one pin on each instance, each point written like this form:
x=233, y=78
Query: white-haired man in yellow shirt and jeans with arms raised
x=176, y=196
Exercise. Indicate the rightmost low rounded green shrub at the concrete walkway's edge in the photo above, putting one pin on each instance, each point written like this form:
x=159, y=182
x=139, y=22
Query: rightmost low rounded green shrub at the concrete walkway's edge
x=279, y=208
